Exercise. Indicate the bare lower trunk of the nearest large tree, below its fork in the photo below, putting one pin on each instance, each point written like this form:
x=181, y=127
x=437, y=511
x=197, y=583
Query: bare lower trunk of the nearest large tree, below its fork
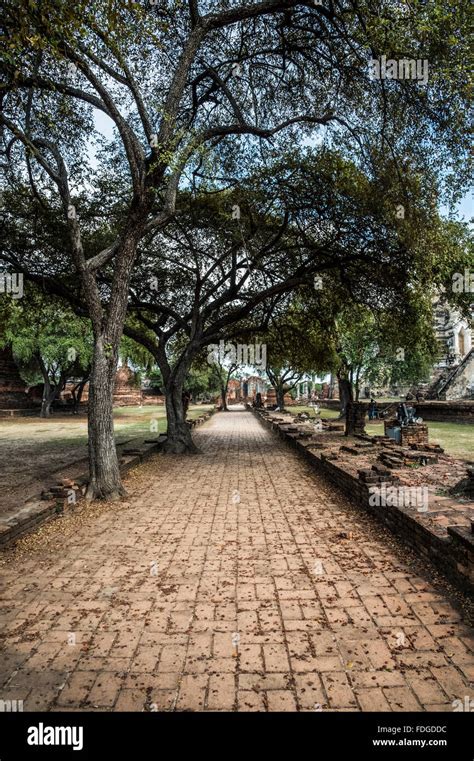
x=105, y=482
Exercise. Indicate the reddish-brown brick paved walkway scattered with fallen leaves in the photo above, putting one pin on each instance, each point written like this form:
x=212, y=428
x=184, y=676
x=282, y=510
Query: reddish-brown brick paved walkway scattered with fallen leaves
x=186, y=598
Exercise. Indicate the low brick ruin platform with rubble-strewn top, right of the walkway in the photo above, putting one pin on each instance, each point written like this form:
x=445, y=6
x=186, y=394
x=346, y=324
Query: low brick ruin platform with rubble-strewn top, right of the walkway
x=414, y=489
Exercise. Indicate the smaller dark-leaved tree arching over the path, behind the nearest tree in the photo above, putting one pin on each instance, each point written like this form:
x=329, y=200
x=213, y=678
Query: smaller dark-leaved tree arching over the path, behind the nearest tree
x=225, y=269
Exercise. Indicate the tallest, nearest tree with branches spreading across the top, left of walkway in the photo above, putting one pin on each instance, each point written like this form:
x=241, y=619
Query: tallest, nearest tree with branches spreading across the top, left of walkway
x=176, y=81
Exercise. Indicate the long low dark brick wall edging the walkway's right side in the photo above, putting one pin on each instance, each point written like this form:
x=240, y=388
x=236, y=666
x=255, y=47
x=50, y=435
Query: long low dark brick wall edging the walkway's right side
x=452, y=554
